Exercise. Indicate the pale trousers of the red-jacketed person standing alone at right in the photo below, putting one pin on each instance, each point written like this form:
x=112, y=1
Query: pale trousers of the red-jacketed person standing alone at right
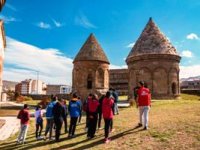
x=144, y=112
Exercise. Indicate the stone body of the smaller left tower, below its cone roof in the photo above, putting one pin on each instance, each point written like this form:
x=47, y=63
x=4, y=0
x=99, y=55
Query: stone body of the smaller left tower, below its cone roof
x=90, y=77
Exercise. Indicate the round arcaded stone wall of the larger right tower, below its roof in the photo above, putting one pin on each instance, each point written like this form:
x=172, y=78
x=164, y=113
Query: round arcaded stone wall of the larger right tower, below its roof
x=161, y=73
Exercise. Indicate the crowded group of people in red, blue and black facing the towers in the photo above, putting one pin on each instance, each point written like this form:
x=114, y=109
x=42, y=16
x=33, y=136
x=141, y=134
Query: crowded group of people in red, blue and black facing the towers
x=57, y=111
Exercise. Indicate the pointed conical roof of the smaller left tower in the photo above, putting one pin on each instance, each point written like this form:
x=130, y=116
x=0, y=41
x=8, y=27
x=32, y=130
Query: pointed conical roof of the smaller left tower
x=91, y=50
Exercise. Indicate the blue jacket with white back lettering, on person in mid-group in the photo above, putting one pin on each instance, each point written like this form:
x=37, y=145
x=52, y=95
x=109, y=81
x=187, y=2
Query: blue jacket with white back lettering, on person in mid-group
x=74, y=108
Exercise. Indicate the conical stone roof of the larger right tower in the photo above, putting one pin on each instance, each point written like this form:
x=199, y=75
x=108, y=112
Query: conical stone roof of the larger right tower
x=152, y=41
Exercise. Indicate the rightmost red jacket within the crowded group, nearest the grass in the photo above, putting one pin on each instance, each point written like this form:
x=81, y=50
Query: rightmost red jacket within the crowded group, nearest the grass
x=107, y=108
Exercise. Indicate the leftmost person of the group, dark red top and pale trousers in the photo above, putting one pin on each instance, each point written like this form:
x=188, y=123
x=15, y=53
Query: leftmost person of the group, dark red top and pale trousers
x=24, y=117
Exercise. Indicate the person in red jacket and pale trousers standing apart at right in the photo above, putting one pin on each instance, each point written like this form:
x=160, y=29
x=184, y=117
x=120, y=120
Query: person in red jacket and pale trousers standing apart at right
x=143, y=101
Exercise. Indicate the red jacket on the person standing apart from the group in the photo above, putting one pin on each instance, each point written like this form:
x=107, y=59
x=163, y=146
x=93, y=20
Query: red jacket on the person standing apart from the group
x=144, y=97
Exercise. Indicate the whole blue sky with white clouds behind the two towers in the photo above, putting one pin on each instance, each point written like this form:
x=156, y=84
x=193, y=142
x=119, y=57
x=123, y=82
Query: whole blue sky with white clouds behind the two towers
x=46, y=35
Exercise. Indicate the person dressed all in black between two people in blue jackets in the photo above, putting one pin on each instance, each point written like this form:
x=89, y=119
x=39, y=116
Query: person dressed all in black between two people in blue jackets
x=58, y=115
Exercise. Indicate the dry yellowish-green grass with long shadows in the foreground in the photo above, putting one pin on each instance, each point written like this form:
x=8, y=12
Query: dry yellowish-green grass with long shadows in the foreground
x=174, y=124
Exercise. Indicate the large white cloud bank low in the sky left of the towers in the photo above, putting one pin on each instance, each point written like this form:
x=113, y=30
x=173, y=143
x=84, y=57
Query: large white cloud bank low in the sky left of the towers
x=22, y=60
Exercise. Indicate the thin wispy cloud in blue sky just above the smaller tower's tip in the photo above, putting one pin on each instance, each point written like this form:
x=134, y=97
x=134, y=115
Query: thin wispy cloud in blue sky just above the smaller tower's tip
x=83, y=21
